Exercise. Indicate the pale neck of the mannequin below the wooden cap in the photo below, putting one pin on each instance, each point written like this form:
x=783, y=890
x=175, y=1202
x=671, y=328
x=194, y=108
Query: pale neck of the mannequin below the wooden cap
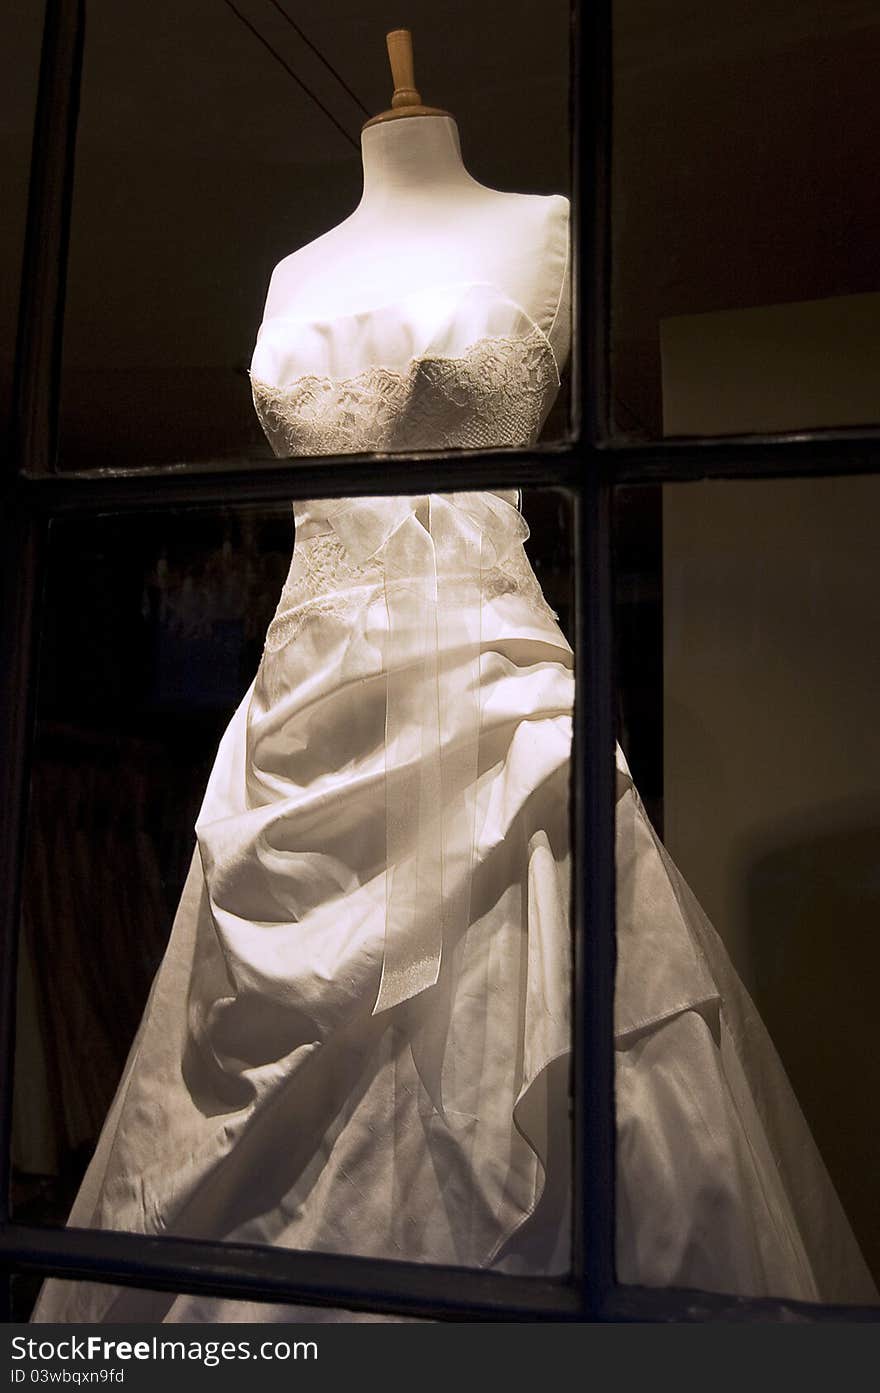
x=410, y=161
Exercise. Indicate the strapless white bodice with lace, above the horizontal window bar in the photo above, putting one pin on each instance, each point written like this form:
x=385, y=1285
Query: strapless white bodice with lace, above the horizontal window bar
x=441, y=370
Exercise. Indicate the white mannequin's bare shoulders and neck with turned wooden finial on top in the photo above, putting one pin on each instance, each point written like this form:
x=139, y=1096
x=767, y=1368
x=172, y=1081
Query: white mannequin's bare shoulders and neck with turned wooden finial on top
x=425, y=224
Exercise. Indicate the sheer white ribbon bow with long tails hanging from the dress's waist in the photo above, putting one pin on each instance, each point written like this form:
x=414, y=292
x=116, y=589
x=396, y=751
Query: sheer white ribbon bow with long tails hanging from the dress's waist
x=434, y=550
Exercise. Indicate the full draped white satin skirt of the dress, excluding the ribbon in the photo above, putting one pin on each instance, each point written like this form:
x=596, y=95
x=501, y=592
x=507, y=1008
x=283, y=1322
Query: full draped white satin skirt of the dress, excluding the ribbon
x=265, y=1100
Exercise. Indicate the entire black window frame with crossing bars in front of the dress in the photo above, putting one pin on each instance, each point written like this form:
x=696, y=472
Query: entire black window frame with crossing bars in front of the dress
x=590, y=466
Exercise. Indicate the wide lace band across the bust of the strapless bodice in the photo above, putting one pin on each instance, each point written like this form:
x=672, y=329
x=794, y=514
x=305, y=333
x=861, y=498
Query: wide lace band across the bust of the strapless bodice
x=496, y=394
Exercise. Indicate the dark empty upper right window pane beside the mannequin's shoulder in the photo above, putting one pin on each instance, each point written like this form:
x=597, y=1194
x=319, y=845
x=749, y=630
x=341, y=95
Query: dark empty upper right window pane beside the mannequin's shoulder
x=747, y=217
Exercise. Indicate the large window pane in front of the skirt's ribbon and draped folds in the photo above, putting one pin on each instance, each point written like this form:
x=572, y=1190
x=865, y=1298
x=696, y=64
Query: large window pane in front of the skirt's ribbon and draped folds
x=336, y=1018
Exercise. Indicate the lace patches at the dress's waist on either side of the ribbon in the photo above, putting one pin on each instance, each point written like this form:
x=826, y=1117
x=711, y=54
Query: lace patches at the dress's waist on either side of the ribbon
x=325, y=583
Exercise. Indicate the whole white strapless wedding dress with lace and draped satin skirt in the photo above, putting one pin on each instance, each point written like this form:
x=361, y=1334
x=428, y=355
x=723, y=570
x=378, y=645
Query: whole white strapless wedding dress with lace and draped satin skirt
x=359, y=1037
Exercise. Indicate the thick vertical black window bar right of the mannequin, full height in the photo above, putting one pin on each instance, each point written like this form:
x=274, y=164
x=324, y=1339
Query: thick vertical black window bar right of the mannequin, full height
x=594, y=726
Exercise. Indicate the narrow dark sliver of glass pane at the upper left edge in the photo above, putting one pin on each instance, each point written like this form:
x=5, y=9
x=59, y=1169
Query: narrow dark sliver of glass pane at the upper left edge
x=22, y=26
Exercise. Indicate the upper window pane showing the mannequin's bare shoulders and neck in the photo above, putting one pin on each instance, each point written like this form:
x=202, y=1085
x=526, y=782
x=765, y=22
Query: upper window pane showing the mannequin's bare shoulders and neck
x=203, y=166
